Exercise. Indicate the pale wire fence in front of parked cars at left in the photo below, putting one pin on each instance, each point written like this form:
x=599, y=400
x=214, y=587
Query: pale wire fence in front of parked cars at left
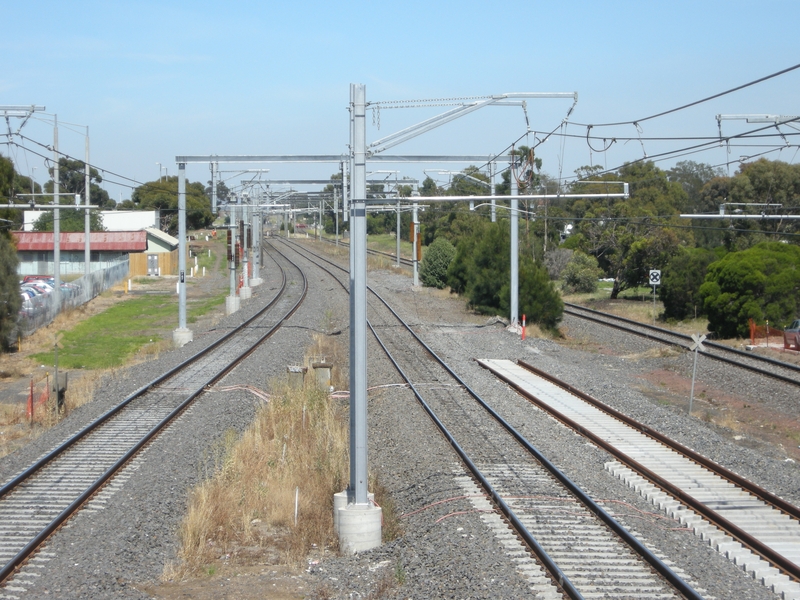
x=43, y=309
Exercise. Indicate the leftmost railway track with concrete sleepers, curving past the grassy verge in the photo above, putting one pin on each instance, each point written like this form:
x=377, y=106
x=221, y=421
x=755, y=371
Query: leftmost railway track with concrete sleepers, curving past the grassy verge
x=40, y=499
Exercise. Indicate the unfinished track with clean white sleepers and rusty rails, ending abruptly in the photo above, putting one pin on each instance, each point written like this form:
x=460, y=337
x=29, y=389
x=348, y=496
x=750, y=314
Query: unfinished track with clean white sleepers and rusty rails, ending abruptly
x=739, y=516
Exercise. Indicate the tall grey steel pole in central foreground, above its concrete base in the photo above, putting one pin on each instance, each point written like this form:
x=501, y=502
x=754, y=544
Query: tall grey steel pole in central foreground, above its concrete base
x=357, y=492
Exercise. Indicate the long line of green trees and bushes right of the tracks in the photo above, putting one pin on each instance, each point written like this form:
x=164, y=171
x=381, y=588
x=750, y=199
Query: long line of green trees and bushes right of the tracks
x=728, y=270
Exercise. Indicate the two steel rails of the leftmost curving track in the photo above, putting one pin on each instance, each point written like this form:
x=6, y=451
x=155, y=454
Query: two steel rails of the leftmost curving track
x=48, y=530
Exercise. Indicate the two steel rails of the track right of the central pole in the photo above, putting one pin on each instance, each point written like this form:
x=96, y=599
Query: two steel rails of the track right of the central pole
x=673, y=578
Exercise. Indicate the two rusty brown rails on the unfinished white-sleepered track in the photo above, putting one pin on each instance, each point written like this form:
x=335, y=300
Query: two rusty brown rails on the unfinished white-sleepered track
x=754, y=544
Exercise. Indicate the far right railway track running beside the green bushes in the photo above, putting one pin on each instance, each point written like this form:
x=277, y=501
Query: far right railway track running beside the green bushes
x=768, y=367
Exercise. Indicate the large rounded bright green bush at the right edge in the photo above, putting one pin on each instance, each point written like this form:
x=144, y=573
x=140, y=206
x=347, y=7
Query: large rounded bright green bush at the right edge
x=761, y=283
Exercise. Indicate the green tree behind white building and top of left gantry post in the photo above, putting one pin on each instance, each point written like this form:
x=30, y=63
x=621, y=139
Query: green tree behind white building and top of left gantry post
x=163, y=196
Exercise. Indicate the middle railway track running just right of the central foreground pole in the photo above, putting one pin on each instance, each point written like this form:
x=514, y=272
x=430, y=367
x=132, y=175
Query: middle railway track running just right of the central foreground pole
x=585, y=551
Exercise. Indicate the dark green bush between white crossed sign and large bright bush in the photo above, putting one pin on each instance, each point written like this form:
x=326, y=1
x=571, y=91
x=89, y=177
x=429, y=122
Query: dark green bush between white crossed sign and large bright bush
x=681, y=280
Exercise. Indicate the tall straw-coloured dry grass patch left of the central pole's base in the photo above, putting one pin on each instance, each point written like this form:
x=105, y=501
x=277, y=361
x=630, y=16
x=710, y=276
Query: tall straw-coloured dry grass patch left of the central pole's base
x=298, y=441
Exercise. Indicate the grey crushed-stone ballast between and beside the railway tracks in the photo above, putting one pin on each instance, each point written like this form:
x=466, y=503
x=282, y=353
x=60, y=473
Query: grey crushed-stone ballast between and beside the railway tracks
x=445, y=551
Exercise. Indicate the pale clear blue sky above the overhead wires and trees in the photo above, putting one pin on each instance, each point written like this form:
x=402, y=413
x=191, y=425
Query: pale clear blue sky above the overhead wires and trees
x=156, y=79
